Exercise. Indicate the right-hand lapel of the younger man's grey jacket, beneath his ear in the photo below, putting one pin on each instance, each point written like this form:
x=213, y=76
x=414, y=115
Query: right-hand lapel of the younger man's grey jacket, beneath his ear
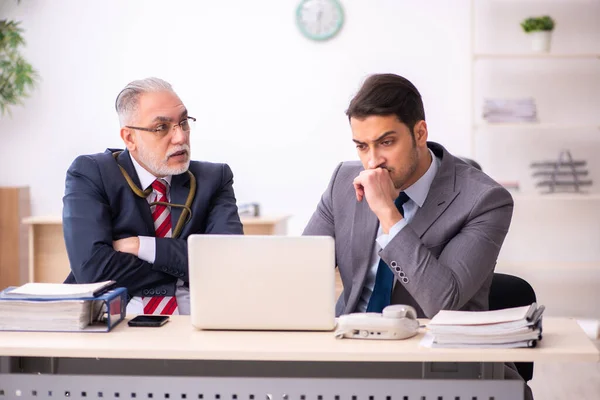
x=441, y=193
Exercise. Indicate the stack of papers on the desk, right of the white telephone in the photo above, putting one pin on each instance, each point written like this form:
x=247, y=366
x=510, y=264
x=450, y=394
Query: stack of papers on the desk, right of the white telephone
x=507, y=328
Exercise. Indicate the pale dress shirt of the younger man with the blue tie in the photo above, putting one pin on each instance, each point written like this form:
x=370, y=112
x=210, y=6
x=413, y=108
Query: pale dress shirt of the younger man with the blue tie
x=417, y=194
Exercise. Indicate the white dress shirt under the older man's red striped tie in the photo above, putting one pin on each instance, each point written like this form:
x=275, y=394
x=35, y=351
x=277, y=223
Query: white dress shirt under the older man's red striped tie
x=147, y=250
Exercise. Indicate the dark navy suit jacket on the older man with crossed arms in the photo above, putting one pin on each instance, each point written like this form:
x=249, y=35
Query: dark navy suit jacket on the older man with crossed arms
x=99, y=207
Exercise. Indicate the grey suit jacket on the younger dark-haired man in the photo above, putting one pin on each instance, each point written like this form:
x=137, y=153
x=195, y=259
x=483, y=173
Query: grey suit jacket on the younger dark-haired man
x=448, y=251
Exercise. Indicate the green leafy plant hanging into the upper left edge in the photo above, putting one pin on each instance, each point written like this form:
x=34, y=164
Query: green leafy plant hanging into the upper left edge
x=17, y=76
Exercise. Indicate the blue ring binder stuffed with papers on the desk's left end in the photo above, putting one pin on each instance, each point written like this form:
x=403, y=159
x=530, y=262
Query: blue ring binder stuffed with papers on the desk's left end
x=93, y=307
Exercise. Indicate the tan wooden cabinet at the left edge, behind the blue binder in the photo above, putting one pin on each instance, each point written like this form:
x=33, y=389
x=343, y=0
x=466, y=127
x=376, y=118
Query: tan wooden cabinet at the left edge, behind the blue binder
x=14, y=206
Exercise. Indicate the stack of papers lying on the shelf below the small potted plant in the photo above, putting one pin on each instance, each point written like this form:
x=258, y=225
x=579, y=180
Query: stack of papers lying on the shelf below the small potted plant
x=509, y=110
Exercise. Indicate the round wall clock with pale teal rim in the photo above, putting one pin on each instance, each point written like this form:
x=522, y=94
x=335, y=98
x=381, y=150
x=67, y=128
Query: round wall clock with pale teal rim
x=319, y=19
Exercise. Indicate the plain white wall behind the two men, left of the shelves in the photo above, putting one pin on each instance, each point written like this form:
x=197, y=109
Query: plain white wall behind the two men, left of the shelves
x=269, y=102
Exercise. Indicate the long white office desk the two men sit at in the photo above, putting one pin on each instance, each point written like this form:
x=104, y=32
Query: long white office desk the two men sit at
x=178, y=362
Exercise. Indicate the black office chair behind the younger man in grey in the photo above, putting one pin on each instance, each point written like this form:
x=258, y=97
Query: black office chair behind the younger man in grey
x=509, y=291
